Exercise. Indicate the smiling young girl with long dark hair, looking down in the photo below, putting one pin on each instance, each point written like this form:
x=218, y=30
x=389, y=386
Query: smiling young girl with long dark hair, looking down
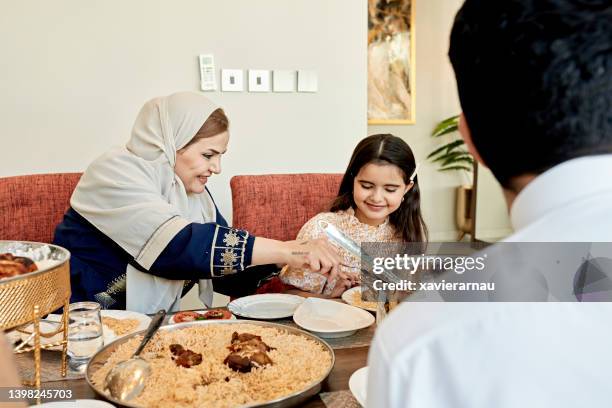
x=379, y=201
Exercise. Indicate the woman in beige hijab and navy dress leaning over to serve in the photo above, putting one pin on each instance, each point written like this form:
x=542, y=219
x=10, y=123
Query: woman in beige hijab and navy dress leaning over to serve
x=142, y=227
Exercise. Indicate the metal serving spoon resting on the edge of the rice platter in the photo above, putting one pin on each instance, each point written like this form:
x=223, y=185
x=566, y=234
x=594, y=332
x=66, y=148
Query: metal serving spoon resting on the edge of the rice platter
x=126, y=380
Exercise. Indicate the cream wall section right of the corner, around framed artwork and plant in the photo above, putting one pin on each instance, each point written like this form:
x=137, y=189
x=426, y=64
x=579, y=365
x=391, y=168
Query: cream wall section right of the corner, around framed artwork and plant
x=436, y=100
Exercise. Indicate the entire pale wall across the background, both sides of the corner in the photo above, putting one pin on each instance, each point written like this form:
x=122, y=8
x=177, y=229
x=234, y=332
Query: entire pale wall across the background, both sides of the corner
x=74, y=74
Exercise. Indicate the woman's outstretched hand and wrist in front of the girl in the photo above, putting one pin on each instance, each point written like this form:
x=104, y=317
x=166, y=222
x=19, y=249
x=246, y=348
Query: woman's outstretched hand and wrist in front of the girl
x=317, y=255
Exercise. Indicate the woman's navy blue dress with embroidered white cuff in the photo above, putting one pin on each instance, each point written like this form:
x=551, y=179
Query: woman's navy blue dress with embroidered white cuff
x=198, y=251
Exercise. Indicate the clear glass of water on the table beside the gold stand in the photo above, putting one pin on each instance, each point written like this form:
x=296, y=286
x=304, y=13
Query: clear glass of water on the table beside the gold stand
x=84, y=334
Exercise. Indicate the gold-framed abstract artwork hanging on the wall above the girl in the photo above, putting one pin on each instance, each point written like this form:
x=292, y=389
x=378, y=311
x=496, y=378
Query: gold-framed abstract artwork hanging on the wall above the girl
x=391, y=62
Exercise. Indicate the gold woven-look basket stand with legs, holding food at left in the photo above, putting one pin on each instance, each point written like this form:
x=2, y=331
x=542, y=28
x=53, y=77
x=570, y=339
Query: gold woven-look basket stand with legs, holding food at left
x=27, y=298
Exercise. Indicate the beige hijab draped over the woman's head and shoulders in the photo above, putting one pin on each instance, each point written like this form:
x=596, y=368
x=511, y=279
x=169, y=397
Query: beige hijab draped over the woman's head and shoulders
x=133, y=196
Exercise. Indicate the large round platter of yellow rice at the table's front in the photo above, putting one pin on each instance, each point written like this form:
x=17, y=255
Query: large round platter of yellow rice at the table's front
x=301, y=362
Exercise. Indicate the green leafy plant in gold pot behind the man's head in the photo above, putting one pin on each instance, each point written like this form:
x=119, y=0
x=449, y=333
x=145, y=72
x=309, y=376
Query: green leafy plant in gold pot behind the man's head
x=454, y=156
